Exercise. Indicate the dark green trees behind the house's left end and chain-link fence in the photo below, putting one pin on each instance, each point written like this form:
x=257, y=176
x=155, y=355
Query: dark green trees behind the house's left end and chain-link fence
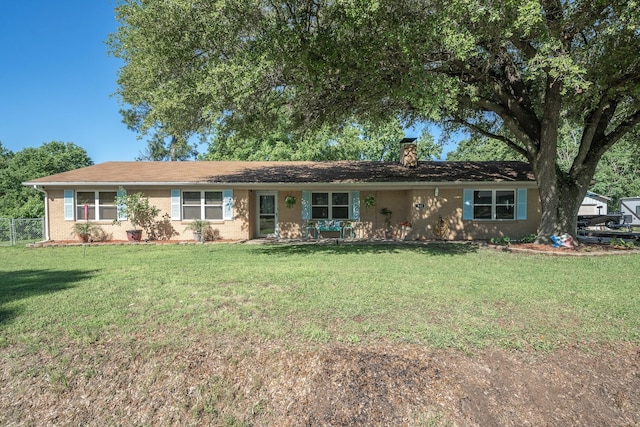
x=18, y=201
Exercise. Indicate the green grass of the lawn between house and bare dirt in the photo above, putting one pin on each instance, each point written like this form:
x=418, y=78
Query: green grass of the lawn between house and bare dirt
x=450, y=295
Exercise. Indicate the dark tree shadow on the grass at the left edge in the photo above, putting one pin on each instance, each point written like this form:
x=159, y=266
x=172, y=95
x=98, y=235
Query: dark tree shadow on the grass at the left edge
x=27, y=283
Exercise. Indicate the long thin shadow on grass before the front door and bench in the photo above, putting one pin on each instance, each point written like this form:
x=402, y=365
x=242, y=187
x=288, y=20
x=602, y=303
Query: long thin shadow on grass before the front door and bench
x=340, y=247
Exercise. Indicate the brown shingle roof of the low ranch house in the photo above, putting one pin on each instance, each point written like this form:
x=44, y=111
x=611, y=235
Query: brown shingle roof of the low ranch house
x=237, y=172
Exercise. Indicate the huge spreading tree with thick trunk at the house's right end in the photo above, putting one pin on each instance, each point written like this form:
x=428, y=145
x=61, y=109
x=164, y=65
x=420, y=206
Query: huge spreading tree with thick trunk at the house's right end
x=506, y=69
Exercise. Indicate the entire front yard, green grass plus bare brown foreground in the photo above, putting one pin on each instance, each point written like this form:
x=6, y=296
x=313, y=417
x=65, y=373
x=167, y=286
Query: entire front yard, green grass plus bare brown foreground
x=242, y=335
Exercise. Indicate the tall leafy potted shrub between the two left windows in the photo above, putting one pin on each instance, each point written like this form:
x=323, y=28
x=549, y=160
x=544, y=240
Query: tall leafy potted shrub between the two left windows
x=137, y=209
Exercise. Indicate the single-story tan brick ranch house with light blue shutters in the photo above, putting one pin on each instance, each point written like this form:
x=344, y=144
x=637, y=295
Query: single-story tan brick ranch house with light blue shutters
x=248, y=200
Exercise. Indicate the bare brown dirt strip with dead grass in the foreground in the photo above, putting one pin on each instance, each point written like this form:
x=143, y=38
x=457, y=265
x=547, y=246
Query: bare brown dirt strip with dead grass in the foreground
x=262, y=384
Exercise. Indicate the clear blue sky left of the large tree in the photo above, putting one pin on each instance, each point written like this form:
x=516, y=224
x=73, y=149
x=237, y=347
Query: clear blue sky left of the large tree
x=57, y=81
